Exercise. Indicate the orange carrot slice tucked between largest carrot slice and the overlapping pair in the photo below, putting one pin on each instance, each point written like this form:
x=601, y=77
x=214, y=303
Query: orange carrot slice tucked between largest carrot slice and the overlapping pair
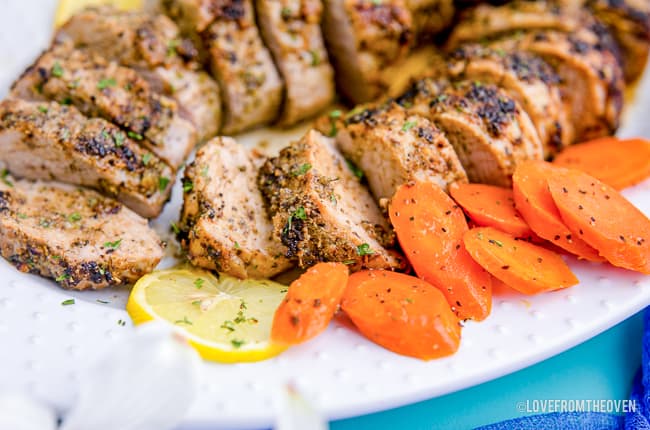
x=491, y=206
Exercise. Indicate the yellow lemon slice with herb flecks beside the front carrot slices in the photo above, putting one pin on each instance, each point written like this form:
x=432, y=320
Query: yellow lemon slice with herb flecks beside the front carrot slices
x=226, y=319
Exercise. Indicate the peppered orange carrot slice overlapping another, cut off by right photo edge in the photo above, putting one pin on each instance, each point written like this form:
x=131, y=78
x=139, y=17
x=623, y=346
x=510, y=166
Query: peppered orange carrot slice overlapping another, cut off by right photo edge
x=603, y=218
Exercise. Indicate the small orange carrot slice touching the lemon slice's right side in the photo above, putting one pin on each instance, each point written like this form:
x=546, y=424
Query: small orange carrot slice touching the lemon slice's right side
x=310, y=304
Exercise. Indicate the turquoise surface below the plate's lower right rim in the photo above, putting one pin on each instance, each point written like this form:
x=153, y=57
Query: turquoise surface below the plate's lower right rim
x=602, y=368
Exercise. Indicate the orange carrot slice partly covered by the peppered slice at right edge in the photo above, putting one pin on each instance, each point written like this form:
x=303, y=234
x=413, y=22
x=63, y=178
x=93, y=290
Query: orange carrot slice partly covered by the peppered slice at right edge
x=534, y=202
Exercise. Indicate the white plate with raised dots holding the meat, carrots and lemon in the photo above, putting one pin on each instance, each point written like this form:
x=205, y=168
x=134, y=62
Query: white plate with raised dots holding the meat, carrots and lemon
x=43, y=344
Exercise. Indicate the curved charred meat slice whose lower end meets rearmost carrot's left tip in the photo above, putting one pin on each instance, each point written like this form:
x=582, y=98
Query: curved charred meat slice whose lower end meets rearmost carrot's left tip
x=527, y=79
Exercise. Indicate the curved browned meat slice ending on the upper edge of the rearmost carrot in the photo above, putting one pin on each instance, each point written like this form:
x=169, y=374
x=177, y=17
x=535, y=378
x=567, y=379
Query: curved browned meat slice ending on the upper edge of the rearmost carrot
x=591, y=77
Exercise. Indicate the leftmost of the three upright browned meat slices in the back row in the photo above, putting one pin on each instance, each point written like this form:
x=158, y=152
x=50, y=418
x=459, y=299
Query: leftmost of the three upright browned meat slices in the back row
x=251, y=86
